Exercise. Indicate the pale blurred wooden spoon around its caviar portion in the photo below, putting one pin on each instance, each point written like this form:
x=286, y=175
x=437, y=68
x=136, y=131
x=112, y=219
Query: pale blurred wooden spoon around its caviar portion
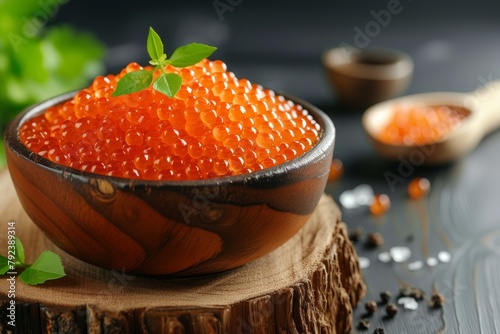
x=483, y=116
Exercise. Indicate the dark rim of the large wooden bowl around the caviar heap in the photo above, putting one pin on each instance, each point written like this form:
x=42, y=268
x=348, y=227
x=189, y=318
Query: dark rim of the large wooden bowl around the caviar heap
x=326, y=139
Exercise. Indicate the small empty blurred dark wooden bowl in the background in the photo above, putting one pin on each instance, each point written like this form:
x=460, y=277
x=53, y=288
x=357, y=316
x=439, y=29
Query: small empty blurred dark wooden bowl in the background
x=363, y=77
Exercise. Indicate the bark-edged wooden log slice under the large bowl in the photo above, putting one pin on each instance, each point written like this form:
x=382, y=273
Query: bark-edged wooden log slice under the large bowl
x=308, y=285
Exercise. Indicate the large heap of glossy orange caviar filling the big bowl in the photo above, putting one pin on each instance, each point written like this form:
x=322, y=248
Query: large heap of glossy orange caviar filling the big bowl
x=216, y=125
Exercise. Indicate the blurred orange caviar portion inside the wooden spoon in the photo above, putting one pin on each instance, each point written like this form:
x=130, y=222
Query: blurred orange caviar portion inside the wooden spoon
x=421, y=125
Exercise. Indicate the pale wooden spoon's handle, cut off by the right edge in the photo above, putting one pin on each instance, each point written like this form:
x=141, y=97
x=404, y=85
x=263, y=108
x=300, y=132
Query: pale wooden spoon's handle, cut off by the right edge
x=486, y=101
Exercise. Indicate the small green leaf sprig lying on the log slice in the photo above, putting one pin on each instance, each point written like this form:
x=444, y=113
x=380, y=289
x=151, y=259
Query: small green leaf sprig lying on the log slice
x=46, y=267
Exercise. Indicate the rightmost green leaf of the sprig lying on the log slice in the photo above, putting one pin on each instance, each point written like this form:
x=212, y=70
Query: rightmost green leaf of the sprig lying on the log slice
x=48, y=266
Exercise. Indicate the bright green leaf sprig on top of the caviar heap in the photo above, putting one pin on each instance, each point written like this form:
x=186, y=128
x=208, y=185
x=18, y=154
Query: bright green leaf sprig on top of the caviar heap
x=167, y=83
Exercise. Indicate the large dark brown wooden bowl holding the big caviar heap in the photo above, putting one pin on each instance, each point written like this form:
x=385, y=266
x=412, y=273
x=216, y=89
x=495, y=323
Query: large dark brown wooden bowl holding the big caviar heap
x=168, y=227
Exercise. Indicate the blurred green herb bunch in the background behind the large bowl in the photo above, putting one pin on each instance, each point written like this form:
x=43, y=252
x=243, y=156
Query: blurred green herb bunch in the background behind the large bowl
x=39, y=62
